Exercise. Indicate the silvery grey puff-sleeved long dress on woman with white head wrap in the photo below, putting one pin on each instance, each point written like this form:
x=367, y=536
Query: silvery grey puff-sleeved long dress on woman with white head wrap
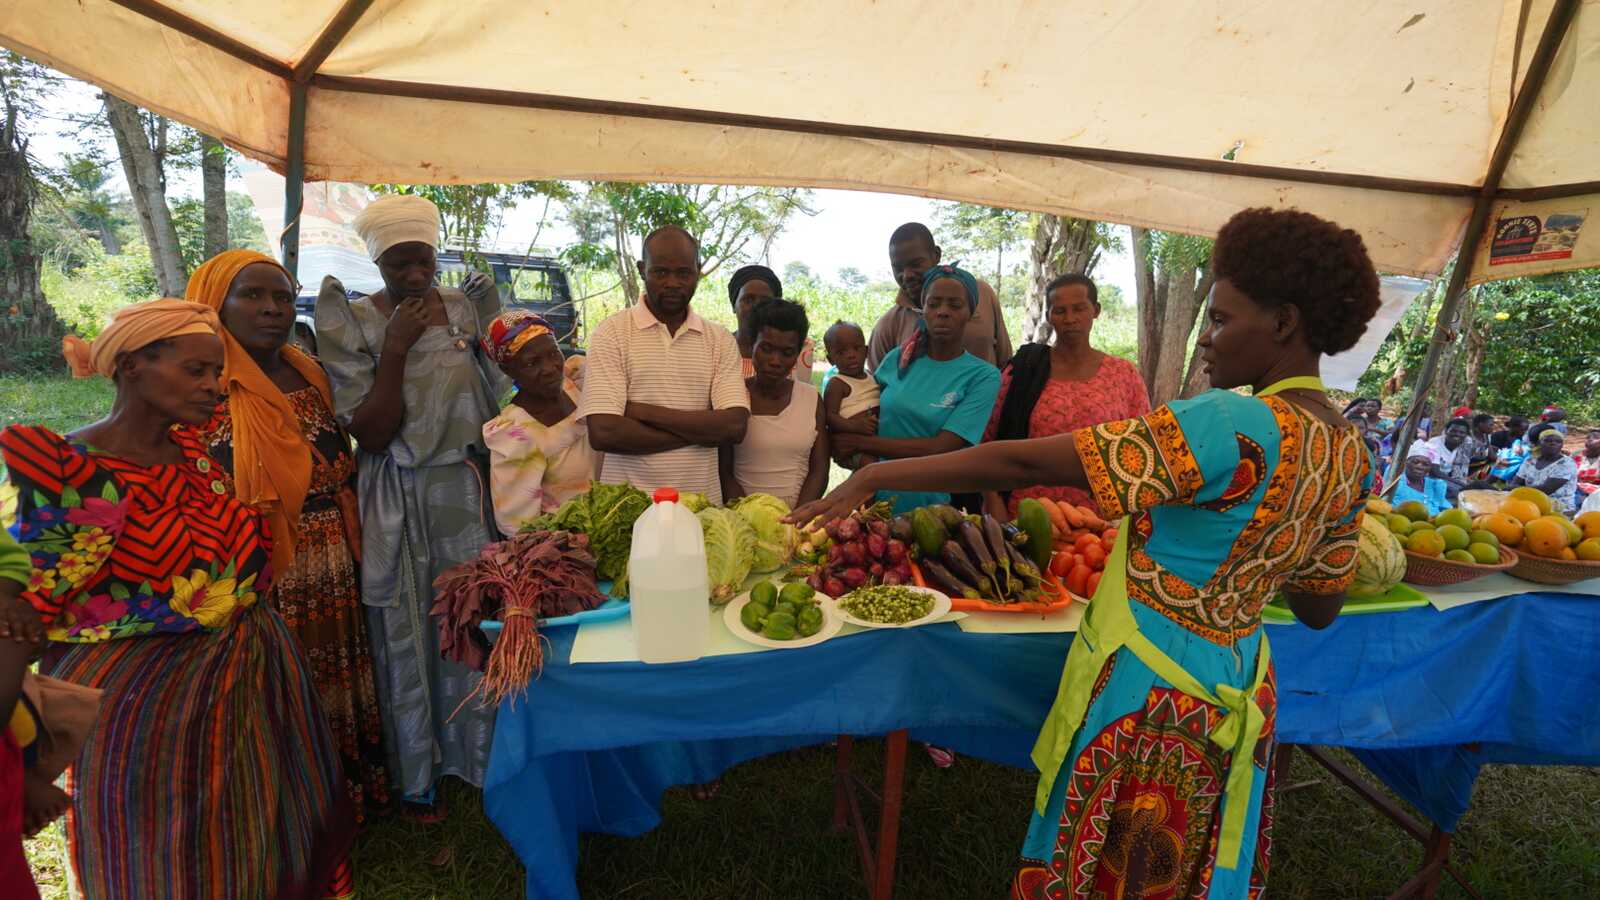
x=425, y=508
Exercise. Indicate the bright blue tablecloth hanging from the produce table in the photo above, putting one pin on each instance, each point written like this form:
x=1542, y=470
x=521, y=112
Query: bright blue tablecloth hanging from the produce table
x=1423, y=697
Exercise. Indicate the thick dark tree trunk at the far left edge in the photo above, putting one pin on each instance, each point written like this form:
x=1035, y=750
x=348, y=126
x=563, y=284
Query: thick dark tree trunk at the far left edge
x=30, y=331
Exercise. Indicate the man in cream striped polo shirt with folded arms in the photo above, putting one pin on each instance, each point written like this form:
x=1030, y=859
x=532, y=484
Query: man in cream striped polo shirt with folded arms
x=663, y=387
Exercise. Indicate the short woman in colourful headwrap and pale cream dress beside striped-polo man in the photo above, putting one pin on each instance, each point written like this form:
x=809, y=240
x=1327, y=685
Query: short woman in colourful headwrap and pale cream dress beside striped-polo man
x=540, y=454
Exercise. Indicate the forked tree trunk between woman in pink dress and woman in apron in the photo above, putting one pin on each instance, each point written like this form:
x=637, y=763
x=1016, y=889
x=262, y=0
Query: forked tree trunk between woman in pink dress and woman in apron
x=1172, y=275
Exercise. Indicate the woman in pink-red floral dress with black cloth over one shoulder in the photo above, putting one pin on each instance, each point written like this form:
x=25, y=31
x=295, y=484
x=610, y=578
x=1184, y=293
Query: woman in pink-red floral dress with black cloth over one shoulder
x=1057, y=390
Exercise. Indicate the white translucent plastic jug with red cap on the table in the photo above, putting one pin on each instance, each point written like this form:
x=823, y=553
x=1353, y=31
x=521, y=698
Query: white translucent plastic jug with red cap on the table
x=666, y=579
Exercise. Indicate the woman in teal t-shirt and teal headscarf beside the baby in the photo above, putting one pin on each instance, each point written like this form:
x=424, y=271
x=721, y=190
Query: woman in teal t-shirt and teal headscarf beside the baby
x=937, y=396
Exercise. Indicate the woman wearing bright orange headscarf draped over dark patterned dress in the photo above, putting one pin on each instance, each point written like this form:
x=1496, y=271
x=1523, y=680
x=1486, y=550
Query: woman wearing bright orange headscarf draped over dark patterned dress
x=290, y=459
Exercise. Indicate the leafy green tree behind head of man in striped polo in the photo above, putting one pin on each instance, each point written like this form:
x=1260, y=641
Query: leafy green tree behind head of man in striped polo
x=730, y=223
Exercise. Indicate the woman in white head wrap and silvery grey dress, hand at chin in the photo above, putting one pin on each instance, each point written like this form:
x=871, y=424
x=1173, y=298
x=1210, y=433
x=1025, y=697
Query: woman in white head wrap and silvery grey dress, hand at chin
x=414, y=387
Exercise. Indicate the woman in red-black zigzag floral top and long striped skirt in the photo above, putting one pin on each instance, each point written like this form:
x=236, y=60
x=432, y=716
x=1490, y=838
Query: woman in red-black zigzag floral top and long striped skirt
x=210, y=771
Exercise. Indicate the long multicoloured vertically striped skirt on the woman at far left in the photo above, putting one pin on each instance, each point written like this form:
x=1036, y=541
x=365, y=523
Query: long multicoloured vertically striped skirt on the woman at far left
x=210, y=773
